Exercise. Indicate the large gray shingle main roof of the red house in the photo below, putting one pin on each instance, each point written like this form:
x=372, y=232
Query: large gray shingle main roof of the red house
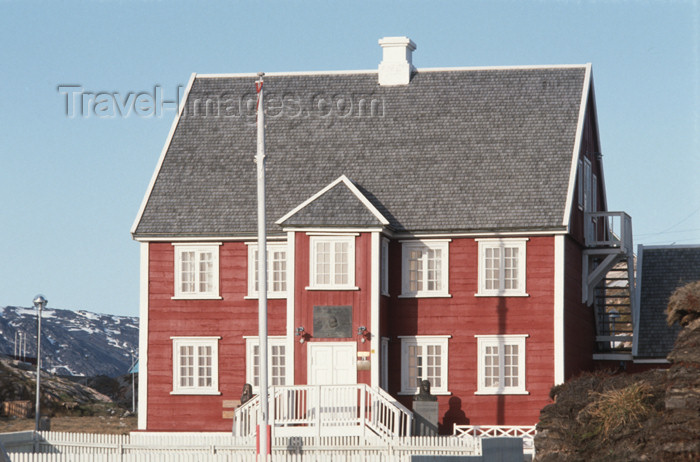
x=455, y=150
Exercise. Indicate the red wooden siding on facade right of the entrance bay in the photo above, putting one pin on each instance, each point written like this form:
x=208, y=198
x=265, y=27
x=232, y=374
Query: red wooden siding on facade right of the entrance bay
x=464, y=315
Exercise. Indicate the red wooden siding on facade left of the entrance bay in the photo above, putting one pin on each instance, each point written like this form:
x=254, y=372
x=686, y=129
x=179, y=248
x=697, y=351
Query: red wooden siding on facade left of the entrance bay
x=230, y=318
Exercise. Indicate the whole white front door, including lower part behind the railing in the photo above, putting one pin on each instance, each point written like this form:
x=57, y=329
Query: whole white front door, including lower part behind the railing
x=333, y=365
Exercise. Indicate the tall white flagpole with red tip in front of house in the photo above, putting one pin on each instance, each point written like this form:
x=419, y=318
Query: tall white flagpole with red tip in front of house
x=262, y=273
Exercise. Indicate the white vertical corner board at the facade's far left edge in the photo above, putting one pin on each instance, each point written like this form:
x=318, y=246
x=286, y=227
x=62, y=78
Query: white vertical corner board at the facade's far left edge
x=143, y=337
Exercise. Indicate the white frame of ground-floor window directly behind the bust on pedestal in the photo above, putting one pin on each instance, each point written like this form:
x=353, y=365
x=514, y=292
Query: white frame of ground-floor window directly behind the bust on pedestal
x=424, y=341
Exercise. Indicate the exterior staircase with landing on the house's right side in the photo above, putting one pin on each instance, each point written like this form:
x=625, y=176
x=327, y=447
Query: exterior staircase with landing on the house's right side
x=608, y=279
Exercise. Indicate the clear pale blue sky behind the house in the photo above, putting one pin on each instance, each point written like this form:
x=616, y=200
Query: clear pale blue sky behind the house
x=70, y=187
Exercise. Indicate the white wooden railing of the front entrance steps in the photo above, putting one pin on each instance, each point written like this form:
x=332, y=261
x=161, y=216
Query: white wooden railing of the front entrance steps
x=327, y=410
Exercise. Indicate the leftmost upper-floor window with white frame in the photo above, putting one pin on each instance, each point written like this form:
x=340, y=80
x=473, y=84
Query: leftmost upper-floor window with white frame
x=196, y=271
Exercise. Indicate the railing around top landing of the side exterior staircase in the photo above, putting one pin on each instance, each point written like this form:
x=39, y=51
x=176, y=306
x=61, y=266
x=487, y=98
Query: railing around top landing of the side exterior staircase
x=609, y=229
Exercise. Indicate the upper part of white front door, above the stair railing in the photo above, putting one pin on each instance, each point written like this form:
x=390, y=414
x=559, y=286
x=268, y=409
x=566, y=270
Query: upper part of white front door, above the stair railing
x=332, y=363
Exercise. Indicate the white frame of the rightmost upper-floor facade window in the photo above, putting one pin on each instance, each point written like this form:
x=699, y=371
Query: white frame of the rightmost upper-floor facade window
x=502, y=244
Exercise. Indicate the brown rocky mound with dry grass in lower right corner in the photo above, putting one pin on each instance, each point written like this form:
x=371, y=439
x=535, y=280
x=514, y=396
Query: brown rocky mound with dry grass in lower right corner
x=650, y=416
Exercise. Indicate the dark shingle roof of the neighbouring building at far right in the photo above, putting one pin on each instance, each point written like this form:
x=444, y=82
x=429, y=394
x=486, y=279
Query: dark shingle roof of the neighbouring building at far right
x=663, y=270
